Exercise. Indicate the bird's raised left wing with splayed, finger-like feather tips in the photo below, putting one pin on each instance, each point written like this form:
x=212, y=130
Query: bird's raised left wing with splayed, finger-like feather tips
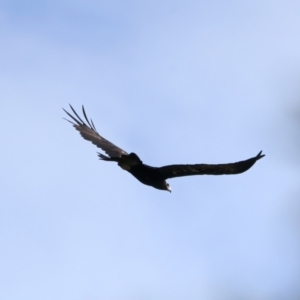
x=88, y=132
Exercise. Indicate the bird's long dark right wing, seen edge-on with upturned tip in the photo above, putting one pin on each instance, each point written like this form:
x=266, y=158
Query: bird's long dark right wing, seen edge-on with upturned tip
x=204, y=169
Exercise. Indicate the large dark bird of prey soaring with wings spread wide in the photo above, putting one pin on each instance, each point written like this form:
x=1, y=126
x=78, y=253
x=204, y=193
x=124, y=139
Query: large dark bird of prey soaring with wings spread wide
x=153, y=176
